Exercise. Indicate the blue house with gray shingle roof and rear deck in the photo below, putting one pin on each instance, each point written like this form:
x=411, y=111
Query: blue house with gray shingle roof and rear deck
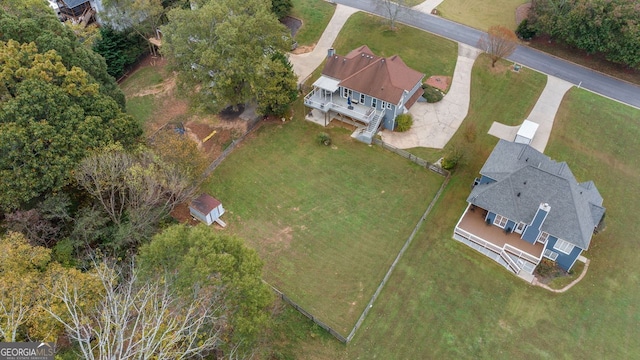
x=525, y=207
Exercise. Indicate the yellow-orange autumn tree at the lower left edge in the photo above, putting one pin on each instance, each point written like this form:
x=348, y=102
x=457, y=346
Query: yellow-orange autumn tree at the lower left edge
x=25, y=272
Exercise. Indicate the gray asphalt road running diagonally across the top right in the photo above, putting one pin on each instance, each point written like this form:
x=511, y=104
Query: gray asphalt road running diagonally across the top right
x=601, y=84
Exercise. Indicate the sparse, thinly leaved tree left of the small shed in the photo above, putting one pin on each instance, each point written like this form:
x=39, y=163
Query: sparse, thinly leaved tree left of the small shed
x=135, y=190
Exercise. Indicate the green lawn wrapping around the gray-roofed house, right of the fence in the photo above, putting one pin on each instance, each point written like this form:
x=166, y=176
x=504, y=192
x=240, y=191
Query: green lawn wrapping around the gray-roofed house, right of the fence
x=447, y=301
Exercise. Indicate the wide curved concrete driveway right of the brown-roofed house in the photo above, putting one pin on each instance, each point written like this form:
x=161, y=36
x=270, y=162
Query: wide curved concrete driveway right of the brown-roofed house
x=435, y=124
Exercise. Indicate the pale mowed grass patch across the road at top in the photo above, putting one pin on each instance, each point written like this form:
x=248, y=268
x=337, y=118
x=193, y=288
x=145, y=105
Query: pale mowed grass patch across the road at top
x=481, y=14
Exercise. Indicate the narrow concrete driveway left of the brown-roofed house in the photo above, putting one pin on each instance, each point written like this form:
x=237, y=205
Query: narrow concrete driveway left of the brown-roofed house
x=305, y=64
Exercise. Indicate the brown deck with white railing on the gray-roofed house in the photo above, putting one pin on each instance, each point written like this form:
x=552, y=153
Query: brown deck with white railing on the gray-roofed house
x=507, y=249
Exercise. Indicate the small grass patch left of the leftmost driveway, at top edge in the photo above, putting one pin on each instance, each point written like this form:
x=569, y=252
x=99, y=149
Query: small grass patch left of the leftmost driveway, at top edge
x=315, y=16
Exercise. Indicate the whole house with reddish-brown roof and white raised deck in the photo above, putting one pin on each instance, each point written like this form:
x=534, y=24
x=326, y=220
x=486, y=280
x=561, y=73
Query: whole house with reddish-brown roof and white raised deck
x=365, y=90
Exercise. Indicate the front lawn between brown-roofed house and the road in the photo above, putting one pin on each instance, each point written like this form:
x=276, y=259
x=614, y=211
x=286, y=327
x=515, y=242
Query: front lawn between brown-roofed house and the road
x=429, y=54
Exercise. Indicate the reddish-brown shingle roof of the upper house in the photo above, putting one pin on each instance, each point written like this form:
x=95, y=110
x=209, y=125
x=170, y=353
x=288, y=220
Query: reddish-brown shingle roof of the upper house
x=364, y=72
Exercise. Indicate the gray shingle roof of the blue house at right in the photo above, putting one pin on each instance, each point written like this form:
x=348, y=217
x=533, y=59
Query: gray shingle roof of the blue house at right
x=525, y=178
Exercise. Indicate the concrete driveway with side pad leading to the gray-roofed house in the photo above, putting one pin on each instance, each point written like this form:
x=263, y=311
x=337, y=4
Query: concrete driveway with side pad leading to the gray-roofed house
x=543, y=113
